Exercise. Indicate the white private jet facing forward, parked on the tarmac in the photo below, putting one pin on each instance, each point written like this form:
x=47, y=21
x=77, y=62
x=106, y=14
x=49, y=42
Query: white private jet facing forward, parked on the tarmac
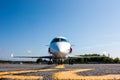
x=59, y=49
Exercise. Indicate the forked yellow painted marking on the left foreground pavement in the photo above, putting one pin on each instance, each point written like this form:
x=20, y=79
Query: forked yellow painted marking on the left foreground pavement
x=13, y=74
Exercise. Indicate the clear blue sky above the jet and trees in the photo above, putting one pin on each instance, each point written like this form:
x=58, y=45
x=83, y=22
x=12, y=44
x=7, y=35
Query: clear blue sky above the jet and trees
x=26, y=26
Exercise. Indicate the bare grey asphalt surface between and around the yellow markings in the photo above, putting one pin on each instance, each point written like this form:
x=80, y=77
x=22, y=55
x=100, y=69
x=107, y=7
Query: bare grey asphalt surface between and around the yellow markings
x=98, y=69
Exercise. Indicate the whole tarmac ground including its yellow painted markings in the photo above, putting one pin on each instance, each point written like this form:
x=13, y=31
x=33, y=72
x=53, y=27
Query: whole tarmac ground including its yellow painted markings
x=60, y=72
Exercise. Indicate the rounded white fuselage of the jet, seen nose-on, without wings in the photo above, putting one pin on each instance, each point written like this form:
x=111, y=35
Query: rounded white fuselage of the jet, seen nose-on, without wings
x=60, y=47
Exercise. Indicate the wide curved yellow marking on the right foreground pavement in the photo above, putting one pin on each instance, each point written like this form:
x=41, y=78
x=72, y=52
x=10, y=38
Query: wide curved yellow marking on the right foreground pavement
x=71, y=75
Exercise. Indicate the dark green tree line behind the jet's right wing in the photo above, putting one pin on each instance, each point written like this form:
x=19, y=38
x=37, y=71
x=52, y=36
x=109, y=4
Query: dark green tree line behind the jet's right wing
x=100, y=59
